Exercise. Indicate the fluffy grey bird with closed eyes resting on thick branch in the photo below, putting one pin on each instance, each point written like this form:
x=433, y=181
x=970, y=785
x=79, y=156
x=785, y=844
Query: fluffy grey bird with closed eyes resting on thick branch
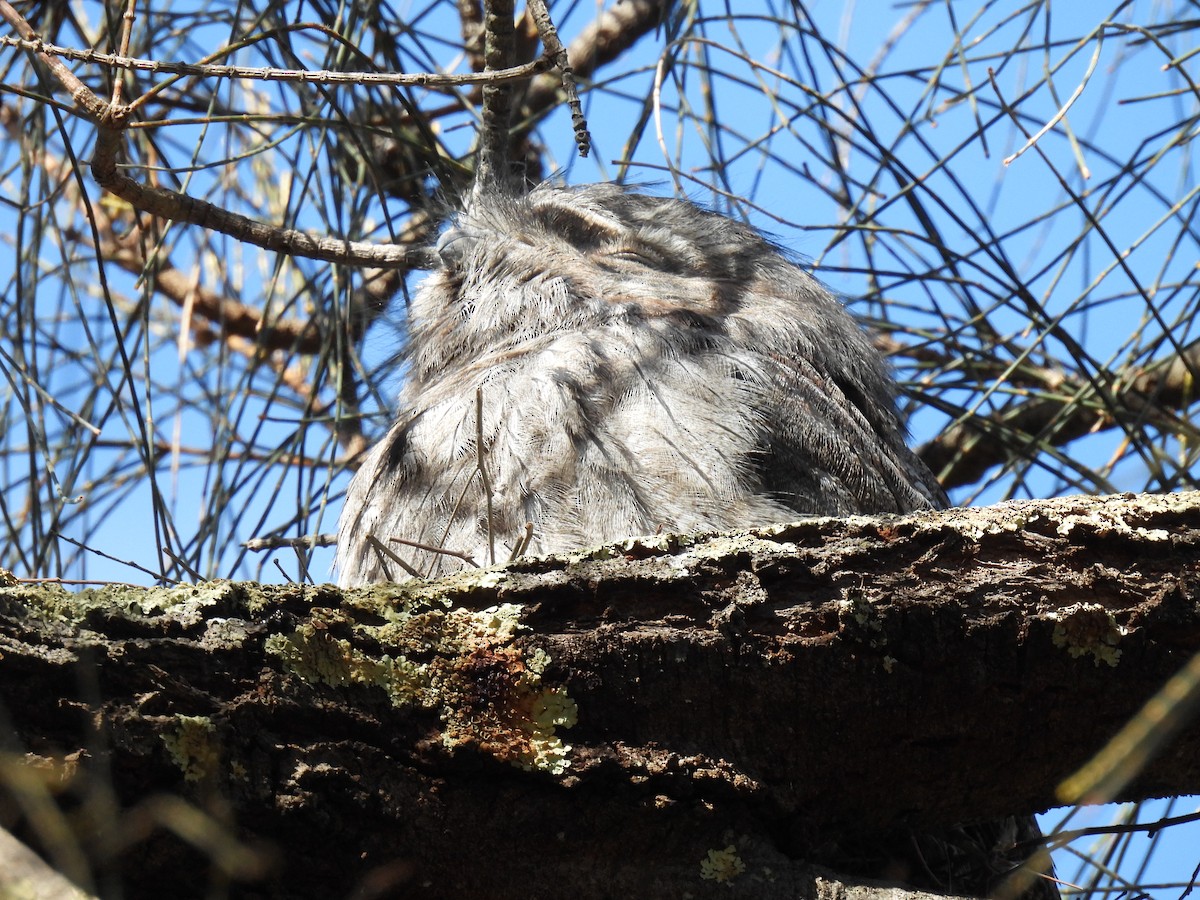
x=595, y=363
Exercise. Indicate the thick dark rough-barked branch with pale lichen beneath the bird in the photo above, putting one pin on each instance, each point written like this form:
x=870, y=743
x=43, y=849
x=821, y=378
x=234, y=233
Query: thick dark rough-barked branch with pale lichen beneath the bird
x=673, y=716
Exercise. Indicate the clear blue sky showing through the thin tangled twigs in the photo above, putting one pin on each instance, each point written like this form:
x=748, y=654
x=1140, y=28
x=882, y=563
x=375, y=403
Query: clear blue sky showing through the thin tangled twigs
x=783, y=176
